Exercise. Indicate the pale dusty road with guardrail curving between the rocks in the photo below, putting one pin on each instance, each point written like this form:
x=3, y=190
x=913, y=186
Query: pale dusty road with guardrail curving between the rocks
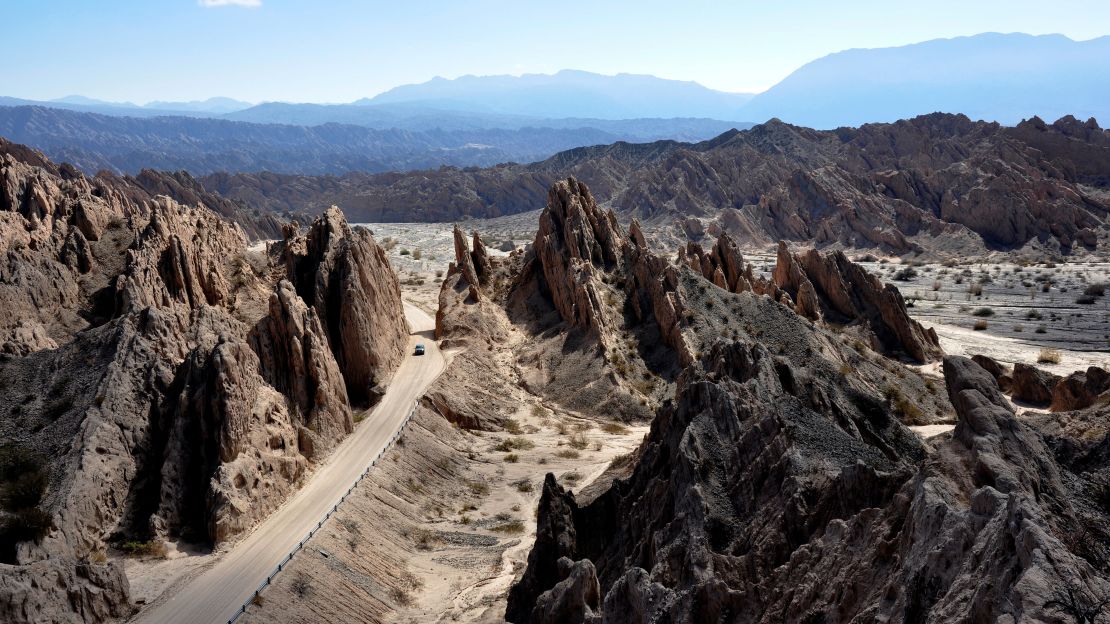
x=217, y=595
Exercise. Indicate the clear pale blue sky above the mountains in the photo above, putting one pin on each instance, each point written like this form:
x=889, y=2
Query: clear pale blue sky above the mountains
x=339, y=52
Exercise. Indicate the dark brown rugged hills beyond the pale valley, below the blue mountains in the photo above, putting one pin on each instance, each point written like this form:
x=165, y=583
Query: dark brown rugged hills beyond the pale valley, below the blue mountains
x=939, y=183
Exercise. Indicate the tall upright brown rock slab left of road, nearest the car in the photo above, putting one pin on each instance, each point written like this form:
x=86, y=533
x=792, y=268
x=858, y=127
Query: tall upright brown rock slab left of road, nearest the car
x=347, y=278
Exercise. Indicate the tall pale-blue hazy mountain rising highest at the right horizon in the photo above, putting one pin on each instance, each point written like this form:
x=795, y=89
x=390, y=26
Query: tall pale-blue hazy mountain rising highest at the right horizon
x=1003, y=78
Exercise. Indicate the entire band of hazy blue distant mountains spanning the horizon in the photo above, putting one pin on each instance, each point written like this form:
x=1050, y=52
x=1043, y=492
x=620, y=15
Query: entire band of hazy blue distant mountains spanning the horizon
x=488, y=120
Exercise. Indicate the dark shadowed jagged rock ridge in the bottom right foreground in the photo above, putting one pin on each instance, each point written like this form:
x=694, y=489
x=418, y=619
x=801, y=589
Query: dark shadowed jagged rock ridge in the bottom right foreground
x=769, y=494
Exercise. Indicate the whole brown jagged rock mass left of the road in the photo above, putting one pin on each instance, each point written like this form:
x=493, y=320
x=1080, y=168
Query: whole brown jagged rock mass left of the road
x=143, y=357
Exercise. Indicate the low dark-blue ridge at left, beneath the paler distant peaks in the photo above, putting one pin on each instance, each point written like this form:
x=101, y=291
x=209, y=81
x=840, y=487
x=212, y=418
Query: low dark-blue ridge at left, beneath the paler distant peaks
x=127, y=145
